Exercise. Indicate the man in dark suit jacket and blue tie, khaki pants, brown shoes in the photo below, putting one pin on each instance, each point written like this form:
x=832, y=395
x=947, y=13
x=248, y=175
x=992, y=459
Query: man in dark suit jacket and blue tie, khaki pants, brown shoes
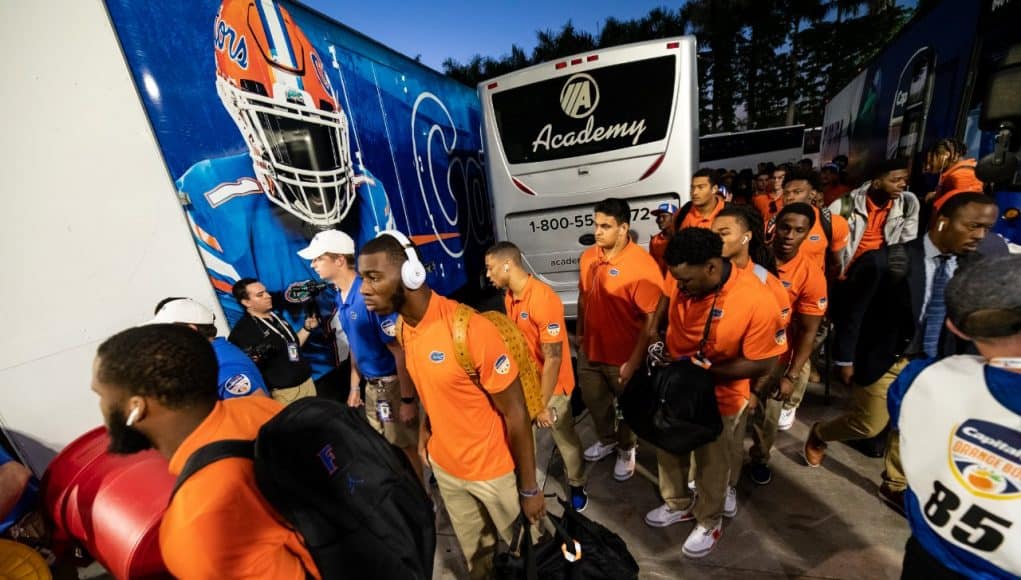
x=901, y=318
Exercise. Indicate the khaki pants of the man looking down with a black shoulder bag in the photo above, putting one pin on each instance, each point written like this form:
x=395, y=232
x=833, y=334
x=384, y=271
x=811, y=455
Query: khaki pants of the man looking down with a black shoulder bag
x=718, y=466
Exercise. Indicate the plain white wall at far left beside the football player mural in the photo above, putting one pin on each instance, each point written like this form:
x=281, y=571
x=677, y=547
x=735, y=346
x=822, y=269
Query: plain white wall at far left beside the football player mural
x=92, y=233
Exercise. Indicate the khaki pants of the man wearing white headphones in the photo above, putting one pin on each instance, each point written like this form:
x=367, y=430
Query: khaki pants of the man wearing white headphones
x=479, y=512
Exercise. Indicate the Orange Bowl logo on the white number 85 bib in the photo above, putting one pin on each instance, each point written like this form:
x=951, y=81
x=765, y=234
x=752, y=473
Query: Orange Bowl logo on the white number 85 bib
x=986, y=459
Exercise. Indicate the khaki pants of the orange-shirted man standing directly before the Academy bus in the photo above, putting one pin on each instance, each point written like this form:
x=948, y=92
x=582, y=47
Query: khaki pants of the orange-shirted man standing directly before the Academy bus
x=599, y=383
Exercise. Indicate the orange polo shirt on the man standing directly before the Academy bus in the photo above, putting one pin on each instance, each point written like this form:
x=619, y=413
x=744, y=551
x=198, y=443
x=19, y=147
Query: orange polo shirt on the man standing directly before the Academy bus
x=618, y=294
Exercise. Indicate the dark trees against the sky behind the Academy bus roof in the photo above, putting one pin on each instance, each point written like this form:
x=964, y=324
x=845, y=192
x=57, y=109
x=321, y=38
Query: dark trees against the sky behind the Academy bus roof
x=761, y=63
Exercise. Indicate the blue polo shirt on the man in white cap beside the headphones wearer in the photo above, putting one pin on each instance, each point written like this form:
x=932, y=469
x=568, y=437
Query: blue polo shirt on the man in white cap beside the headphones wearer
x=368, y=333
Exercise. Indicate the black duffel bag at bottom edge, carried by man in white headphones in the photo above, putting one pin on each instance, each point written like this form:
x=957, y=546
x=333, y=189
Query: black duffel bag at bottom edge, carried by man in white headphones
x=580, y=550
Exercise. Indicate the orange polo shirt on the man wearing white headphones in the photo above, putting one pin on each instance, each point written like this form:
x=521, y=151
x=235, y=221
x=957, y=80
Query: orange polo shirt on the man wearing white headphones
x=469, y=439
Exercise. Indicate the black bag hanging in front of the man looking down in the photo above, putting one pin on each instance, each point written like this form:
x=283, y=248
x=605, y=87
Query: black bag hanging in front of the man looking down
x=673, y=407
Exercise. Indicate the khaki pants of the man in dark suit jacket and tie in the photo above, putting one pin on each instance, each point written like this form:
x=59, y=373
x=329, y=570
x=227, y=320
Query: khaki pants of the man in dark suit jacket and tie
x=866, y=417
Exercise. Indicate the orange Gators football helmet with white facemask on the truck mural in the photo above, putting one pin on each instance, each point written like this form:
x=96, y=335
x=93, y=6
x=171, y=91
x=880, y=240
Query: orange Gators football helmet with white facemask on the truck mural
x=275, y=87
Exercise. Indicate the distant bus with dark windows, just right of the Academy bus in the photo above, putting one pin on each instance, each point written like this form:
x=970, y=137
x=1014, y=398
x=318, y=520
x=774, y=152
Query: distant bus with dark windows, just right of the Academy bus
x=748, y=149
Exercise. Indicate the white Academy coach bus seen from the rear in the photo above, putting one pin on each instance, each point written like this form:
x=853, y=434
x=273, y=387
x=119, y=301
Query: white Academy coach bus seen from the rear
x=562, y=136
